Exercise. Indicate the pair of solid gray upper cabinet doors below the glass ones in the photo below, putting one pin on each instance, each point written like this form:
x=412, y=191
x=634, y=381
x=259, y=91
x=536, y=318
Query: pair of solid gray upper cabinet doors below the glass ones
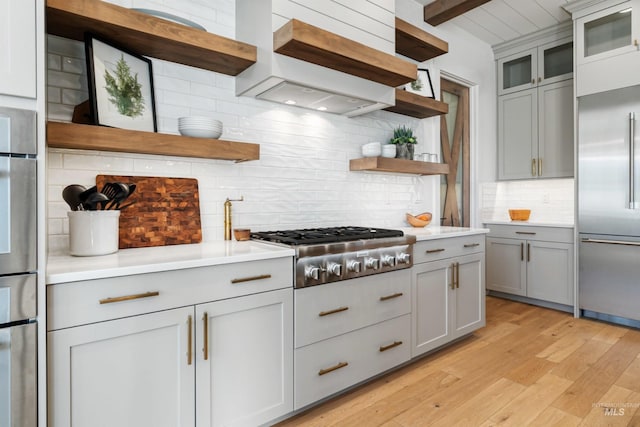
x=535, y=132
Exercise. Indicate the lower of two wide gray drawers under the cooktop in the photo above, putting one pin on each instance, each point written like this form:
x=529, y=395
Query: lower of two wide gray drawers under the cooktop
x=329, y=366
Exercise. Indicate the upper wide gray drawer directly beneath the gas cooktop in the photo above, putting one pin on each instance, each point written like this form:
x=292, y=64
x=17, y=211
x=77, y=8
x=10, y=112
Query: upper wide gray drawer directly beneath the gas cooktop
x=328, y=310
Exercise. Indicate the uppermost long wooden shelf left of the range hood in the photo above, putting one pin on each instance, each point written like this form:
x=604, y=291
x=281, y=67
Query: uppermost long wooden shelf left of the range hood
x=148, y=35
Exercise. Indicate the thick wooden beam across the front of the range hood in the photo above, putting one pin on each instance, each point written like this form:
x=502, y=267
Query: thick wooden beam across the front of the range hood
x=312, y=44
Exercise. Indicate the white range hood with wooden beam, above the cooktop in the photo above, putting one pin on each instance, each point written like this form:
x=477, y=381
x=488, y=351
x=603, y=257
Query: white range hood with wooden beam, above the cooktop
x=312, y=67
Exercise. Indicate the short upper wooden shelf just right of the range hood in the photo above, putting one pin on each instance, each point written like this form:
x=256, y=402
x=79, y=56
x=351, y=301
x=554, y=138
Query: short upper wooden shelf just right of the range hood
x=417, y=44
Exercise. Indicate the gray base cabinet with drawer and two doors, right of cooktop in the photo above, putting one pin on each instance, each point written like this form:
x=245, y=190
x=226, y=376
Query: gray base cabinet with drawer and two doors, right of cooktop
x=448, y=291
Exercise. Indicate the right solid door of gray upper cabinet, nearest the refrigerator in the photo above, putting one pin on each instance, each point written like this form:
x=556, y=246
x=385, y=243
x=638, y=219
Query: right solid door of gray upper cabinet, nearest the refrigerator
x=555, y=134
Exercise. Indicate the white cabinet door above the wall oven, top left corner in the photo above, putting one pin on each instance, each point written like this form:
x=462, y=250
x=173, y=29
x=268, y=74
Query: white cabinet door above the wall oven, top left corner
x=18, y=48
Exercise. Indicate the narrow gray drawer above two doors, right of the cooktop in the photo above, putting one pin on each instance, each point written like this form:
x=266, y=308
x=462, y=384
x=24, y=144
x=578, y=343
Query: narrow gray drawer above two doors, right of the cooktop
x=437, y=249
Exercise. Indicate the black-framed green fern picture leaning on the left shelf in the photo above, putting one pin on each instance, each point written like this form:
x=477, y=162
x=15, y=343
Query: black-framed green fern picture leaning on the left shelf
x=120, y=84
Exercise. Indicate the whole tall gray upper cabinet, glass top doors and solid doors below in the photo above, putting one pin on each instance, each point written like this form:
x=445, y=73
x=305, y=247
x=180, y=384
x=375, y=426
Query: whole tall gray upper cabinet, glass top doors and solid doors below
x=535, y=106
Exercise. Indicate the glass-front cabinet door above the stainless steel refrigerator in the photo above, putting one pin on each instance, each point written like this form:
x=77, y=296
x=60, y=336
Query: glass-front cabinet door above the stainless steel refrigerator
x=609, y=32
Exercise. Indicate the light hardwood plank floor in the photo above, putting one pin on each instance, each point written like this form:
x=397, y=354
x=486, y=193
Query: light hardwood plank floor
x=529, y=367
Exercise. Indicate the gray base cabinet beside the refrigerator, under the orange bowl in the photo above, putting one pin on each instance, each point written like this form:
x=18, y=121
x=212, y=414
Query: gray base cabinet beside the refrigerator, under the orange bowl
x=532, y=262
